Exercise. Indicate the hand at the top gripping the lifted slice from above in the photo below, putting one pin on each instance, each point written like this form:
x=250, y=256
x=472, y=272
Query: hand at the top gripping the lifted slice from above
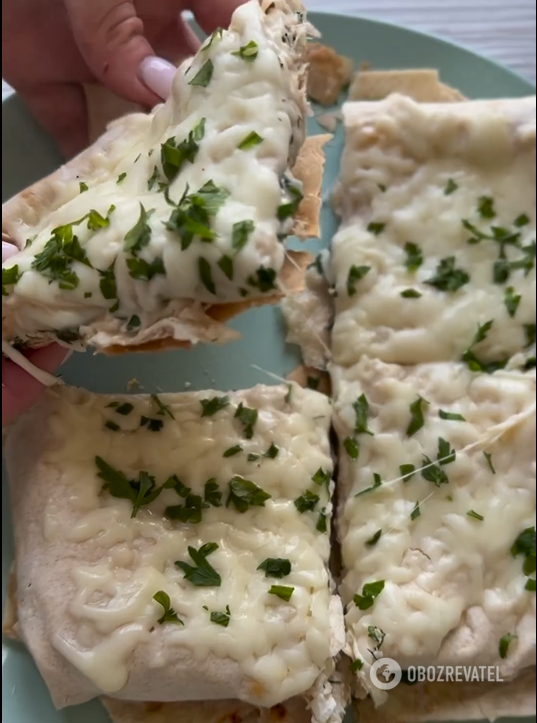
x=52, y=48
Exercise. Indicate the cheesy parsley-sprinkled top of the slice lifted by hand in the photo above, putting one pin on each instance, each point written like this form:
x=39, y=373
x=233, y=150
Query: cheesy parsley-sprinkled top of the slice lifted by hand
x=191, y=205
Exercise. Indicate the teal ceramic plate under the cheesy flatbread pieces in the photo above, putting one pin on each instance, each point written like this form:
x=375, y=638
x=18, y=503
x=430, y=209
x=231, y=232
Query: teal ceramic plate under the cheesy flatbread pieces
x=28, y=155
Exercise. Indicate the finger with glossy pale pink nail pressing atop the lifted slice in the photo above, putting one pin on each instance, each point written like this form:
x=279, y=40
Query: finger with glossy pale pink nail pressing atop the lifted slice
x=110, y=36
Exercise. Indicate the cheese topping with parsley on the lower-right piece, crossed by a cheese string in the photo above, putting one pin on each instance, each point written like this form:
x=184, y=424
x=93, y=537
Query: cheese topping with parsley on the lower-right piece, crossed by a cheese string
x=438, y=515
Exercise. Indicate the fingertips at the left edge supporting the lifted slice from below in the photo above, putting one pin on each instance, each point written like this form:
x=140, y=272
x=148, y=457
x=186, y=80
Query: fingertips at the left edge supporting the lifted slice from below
x=20, y=391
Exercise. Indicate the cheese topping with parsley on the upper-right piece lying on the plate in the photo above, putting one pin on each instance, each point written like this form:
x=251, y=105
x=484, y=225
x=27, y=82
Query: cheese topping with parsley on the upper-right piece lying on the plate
x=439, y=232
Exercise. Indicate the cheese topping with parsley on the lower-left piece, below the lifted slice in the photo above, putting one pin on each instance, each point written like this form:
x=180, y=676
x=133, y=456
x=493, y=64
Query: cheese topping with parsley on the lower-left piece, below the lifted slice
x=177, y=546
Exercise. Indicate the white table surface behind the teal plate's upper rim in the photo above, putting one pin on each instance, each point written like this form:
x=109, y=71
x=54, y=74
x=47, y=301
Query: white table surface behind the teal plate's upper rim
x=501, y=29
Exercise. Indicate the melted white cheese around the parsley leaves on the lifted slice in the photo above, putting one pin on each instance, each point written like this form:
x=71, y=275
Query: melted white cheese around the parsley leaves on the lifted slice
x=242, y=97
